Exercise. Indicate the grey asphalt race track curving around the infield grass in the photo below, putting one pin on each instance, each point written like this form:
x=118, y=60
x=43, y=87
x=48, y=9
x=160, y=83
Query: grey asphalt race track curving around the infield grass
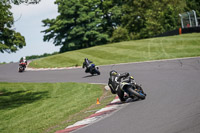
x=172, y=104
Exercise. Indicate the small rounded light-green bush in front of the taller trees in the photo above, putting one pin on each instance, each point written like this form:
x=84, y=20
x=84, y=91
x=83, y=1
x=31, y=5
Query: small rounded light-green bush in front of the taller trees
x=120, y=34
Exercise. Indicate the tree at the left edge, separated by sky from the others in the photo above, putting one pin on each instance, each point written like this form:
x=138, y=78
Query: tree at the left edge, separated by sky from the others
x=10, y=40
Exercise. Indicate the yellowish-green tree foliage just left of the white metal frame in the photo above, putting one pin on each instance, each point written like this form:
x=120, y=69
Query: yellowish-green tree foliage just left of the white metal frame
x=150, y=18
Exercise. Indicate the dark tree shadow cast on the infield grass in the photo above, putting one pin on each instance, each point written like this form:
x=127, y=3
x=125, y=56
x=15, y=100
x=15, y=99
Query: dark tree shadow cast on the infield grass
x=18, y=98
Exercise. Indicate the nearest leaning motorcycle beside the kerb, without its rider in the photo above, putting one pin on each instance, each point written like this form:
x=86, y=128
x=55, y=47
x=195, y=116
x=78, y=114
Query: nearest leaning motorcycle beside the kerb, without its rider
x=131, y=88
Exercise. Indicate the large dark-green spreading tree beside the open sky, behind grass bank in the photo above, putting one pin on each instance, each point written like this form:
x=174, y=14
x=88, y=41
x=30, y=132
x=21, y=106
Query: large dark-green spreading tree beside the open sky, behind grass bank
x=78, y=25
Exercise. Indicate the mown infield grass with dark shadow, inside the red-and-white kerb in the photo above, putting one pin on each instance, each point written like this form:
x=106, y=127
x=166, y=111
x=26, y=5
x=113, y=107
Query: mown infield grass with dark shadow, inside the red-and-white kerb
x=45, y=107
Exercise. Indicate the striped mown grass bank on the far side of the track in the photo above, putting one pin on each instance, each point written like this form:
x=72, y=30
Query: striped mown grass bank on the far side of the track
x=185, y=45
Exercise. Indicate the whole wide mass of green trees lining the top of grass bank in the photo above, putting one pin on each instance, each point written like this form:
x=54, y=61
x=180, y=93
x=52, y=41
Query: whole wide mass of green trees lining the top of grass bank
x=88, y=23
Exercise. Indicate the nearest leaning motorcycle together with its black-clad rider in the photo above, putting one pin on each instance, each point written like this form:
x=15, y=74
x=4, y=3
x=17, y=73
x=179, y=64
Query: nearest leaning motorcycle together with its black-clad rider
x=125, y=87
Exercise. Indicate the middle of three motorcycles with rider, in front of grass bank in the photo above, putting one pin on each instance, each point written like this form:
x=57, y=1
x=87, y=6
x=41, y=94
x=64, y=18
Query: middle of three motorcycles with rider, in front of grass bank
x=90, y=68
